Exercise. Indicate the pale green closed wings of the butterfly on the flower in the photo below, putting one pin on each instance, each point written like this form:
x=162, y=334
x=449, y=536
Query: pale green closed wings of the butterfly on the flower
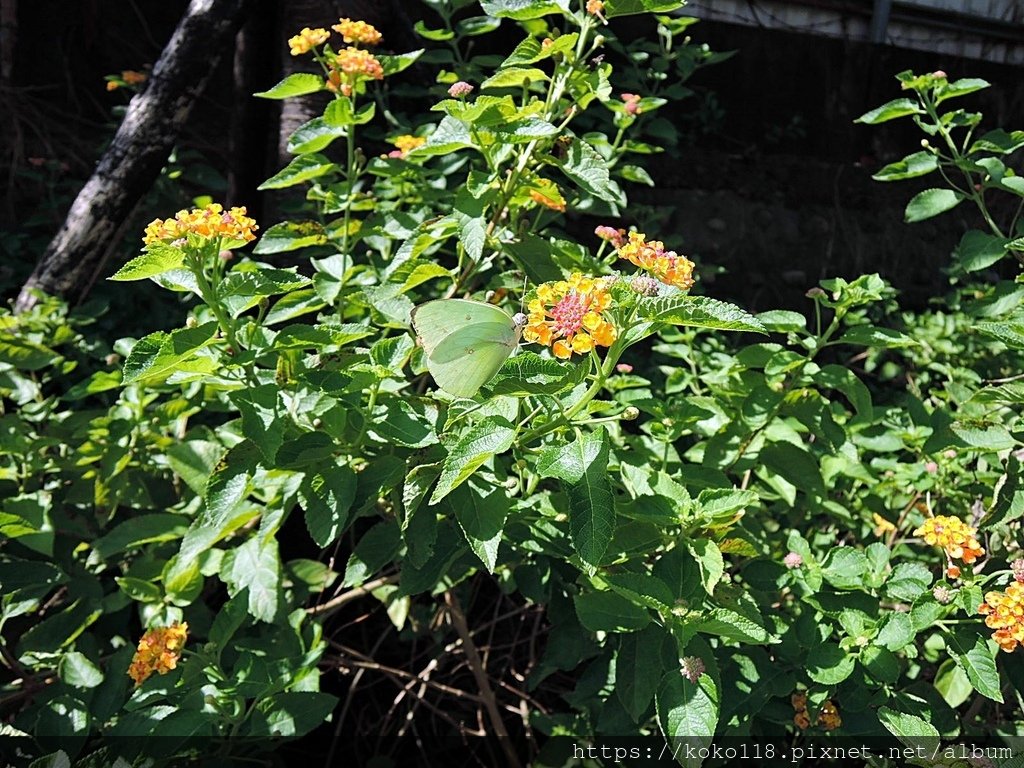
x=466, y=343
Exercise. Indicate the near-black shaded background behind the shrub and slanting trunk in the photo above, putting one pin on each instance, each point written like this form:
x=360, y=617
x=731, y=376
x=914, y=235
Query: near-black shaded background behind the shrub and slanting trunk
x=770, y=189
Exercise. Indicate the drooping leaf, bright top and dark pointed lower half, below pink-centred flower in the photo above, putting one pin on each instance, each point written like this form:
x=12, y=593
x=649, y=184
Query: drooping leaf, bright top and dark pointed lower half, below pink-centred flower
x=583, y=467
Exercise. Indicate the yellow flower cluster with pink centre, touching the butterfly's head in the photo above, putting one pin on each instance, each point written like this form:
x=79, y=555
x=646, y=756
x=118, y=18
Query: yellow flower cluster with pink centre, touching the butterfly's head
x=567, y=316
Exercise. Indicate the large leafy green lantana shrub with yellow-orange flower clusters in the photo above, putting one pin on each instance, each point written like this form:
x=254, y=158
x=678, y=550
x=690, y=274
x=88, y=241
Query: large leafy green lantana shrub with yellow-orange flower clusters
x=765, y=529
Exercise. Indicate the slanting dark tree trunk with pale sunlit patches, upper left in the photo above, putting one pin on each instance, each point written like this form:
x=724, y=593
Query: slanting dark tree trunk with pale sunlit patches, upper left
x=141, y=147
